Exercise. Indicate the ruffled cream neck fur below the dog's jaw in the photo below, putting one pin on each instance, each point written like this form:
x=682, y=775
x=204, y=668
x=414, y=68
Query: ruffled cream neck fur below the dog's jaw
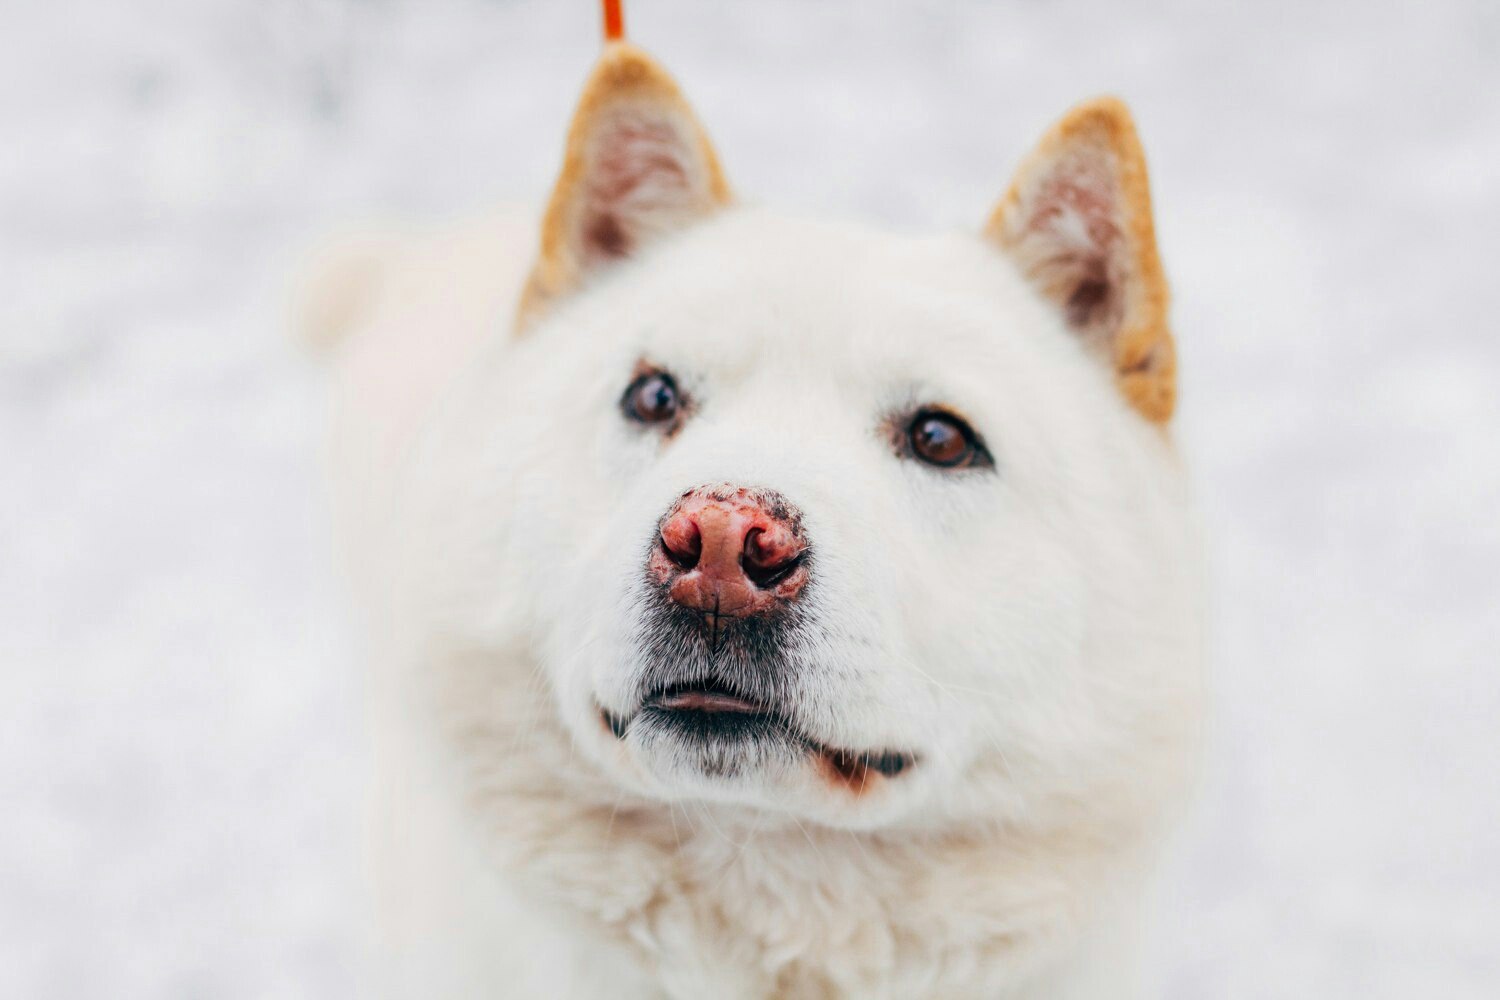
x=730, y=903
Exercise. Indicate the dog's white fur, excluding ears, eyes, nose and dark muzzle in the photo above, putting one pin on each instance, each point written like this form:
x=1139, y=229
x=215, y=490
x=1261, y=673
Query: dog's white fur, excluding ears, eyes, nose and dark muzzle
x=1031, y=633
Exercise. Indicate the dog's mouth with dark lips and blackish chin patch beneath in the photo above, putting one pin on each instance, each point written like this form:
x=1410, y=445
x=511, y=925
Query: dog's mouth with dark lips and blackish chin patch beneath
x=730, y=732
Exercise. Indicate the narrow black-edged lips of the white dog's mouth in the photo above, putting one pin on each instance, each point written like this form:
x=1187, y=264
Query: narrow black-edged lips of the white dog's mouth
x=707, y=710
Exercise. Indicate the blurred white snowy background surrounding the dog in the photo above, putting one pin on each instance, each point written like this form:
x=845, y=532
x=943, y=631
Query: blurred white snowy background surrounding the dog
x=178, y=701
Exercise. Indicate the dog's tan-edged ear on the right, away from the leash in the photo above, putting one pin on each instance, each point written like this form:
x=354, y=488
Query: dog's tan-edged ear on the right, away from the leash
x=1078, y=223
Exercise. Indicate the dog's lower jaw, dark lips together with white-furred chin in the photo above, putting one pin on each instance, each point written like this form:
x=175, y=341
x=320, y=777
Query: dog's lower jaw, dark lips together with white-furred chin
x=707, y=740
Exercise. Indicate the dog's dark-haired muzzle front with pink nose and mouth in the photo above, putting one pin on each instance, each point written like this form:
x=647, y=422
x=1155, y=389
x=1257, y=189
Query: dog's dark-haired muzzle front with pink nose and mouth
x=728, y=578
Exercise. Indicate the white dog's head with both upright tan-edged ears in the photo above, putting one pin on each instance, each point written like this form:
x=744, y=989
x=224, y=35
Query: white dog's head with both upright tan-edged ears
x=860, y=528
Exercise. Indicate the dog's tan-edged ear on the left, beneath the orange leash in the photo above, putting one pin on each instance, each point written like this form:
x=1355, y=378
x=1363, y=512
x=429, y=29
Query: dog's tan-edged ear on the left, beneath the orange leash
x=638, y=166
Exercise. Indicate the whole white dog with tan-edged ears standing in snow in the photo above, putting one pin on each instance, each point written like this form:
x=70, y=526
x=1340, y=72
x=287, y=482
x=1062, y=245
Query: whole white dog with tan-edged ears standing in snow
x=766, y=608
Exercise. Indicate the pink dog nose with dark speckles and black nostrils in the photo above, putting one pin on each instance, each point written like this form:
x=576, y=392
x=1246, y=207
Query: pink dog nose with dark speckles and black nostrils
x=731, y=551
